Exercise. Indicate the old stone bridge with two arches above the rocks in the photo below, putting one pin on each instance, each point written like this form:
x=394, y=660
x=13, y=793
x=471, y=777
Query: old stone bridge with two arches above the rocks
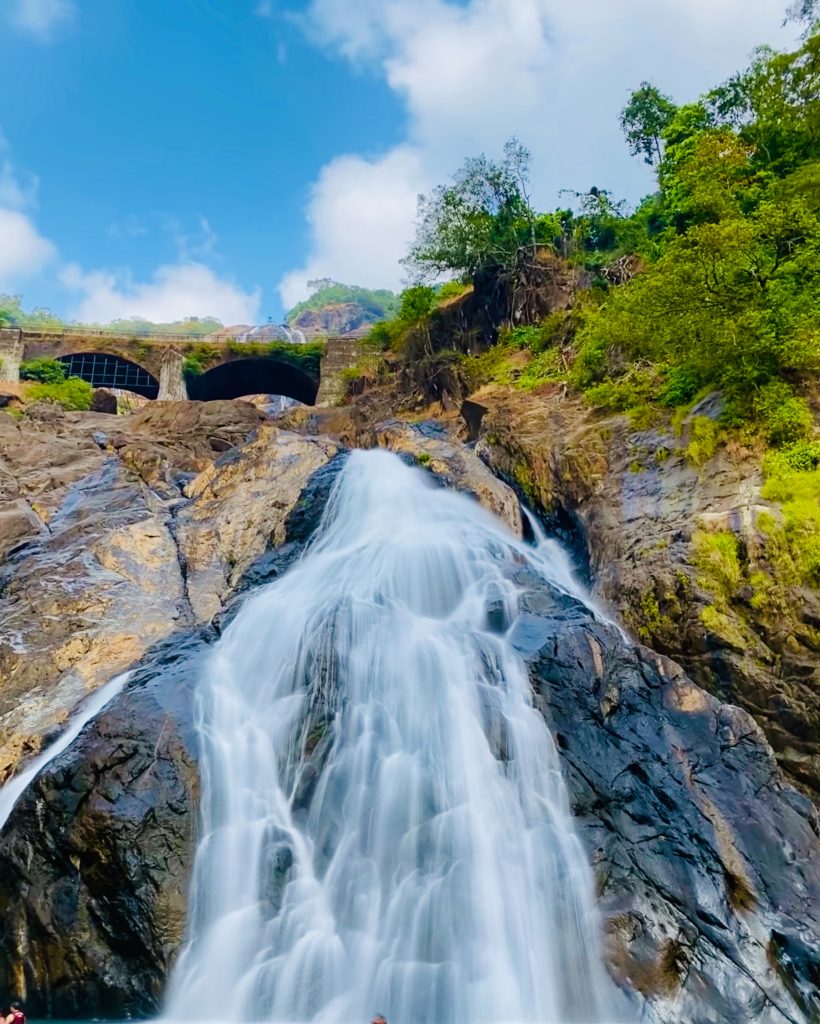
x=180, y=368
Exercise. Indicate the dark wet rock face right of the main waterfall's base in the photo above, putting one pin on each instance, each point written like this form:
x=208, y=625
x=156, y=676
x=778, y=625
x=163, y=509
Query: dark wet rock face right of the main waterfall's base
x=707, y=865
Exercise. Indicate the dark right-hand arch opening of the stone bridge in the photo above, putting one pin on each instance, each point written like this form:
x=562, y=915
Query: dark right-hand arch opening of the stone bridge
x=254, y=376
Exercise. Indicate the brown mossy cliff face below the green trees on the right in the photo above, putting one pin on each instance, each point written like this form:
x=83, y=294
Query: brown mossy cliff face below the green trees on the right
x=633, y=507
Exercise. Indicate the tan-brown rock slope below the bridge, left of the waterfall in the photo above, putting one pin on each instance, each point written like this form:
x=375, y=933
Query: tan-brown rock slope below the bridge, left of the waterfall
x=119, y=532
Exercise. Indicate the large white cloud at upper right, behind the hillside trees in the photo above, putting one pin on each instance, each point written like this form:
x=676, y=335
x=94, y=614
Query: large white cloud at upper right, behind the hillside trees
x=472, y=74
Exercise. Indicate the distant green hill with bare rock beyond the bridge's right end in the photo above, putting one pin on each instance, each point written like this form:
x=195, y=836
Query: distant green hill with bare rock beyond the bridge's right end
x=337, y=309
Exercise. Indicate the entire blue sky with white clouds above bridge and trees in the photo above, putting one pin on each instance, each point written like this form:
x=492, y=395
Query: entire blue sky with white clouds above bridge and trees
x=169, y=158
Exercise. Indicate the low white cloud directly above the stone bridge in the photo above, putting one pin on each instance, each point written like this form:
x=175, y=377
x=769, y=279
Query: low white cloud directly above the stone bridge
x=176, y=291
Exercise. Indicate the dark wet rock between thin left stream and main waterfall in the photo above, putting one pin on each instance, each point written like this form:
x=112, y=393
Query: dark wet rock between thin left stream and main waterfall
x=95, y=861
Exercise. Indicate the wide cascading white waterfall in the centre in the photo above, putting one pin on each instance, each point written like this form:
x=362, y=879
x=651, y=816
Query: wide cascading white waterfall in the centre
x=384, y=824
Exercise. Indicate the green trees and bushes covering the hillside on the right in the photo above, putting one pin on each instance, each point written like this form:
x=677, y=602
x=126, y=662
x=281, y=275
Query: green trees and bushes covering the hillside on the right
x=713, y=283
